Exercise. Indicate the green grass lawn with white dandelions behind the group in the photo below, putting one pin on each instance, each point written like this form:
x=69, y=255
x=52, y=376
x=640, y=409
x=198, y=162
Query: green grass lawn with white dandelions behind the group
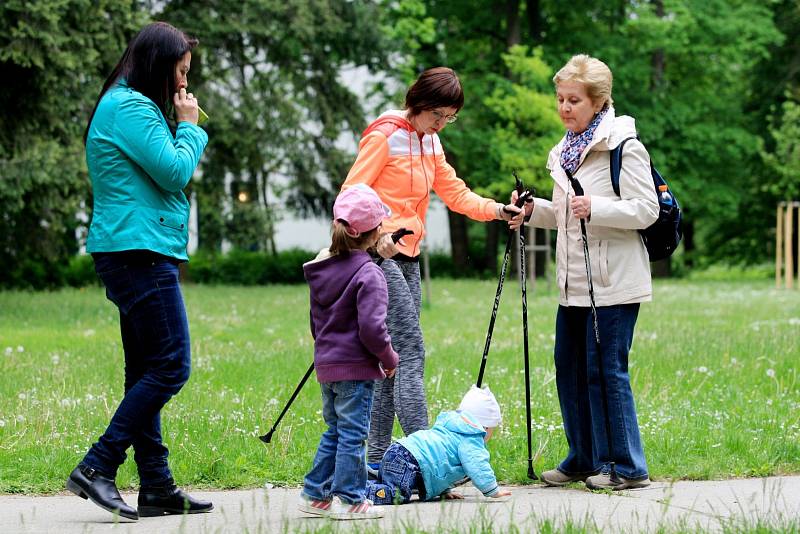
x=713, y=368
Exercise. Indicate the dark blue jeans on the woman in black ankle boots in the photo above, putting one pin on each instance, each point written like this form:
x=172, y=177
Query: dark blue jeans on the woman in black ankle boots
x=155, y=339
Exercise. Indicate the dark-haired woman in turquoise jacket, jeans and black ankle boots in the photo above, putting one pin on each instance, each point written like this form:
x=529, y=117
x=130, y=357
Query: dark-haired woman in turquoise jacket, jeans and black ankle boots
x=139, y=164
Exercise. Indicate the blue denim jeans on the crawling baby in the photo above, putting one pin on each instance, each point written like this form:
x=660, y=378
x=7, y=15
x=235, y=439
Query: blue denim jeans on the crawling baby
x=398, y=475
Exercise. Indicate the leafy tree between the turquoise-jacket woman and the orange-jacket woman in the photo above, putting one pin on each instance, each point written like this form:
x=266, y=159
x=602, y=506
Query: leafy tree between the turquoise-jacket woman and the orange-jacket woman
x=268, y=72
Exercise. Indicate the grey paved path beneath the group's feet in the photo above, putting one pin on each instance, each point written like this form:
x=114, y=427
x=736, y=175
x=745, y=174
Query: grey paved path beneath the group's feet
x=682, y=506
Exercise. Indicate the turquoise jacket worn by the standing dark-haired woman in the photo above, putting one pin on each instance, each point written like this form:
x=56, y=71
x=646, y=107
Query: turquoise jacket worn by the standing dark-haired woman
x=138, y=171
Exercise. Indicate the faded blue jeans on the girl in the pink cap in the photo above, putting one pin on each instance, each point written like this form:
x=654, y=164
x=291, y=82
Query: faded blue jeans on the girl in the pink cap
x=340, y=466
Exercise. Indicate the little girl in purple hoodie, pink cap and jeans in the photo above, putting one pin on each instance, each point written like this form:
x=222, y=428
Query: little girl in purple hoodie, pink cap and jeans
x=352, y=349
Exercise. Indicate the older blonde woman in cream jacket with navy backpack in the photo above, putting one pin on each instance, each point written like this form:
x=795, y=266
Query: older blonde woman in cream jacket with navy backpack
x=605, y=449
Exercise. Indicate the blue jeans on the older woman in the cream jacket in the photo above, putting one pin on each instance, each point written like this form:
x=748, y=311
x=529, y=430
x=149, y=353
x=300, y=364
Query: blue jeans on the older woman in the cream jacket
x=594, y=386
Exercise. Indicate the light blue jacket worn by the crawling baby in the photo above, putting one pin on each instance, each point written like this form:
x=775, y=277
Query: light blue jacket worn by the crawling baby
x=452, y=449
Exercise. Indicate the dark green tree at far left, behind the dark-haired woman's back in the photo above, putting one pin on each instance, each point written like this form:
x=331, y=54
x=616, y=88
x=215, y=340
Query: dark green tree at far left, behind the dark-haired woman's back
x=54, y=55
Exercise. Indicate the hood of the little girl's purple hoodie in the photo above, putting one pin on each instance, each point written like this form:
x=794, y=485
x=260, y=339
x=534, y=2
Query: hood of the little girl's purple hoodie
x=328, y=275
